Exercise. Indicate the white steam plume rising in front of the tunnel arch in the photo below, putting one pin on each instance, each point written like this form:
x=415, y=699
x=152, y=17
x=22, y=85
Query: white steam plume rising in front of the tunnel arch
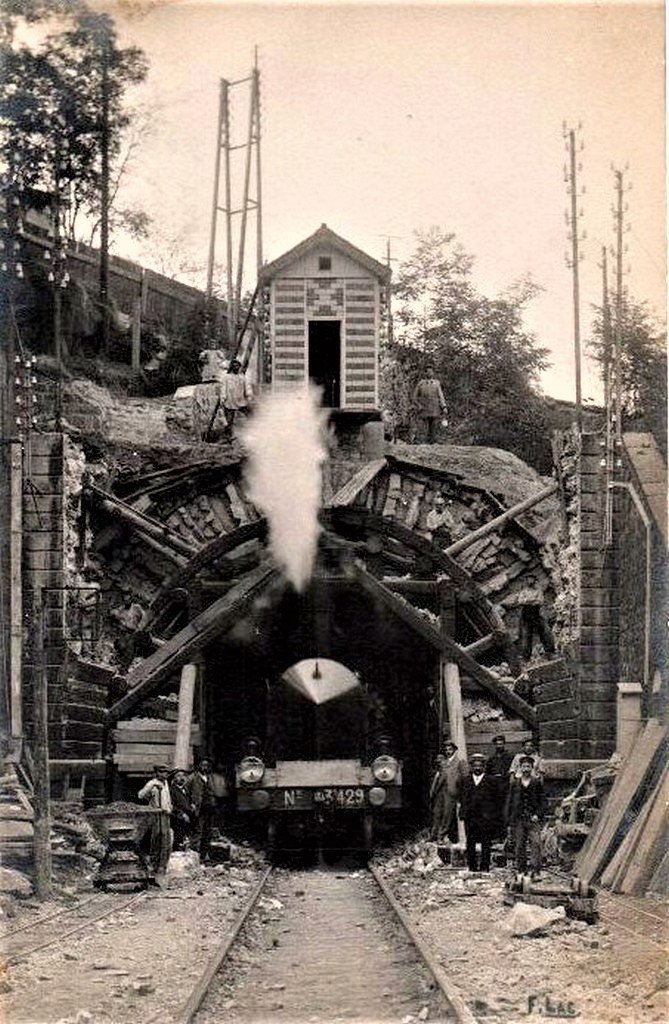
x=285, y=441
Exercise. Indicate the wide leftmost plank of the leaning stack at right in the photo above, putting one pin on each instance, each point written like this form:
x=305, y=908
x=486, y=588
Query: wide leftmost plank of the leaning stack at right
x=597, y=851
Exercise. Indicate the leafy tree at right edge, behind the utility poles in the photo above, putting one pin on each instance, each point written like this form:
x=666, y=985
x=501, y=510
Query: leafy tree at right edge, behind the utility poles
x=644, y=365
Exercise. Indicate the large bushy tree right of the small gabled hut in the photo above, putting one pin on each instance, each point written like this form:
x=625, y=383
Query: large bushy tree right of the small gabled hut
x=486, y=359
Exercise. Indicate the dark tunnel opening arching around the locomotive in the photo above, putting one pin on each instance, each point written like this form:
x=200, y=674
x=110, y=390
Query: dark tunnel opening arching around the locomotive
x=332, y=620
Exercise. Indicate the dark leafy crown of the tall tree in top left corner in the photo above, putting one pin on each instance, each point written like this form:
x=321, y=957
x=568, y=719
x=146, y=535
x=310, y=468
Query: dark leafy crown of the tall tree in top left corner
x=52, y=110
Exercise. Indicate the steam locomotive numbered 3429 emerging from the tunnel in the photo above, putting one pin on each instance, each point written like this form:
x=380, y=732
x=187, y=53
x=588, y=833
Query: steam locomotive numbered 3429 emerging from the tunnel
x=319, y=772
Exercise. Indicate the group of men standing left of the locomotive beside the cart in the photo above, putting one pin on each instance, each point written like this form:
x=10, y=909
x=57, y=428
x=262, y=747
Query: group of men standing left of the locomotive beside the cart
x=186, y=806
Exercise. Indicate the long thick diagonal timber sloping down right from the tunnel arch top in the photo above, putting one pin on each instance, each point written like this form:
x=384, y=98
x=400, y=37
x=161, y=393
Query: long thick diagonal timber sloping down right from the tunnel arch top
x=444, y=644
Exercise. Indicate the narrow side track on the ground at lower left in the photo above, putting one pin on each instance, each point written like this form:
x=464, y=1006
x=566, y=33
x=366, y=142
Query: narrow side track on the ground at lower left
x=20, y=944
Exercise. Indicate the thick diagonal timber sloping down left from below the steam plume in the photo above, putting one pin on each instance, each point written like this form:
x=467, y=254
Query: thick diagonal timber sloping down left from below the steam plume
x=181, y=649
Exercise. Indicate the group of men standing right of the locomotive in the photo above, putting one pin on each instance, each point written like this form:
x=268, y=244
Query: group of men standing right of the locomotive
x=500, y=798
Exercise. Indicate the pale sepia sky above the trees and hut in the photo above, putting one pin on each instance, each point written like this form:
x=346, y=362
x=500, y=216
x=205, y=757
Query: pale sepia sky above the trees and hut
x=384, y=119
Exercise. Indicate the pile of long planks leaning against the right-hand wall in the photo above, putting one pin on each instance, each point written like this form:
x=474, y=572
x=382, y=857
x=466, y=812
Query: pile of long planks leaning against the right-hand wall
x=626, y=849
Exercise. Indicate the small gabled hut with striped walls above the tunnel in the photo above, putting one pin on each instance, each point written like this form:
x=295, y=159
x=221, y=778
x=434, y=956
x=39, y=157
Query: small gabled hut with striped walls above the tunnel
x=326, y=310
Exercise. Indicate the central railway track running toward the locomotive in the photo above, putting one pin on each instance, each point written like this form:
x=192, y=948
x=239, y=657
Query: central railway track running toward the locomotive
x=328, y=947
